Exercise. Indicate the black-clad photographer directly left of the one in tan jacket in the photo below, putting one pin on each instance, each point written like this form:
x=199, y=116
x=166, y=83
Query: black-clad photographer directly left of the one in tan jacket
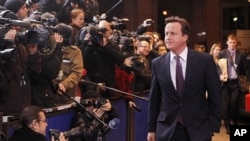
x=50, y=47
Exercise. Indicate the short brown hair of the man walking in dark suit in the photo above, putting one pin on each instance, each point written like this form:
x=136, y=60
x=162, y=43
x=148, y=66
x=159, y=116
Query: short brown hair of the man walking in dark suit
x=185, y=28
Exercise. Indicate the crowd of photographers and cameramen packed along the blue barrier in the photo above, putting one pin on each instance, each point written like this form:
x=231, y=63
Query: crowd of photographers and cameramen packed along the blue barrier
x=50, y=48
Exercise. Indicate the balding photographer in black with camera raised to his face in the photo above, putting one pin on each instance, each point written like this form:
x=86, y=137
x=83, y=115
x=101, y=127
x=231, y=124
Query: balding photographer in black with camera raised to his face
x=100, y=50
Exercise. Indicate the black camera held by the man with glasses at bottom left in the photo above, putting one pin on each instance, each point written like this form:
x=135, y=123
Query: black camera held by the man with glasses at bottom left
x=56, y=133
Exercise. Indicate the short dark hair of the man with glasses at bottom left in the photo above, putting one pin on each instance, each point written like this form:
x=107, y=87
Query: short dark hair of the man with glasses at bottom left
x=30, y=113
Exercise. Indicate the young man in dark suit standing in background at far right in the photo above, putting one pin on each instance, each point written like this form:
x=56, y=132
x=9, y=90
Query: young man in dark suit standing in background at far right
x=231, y=89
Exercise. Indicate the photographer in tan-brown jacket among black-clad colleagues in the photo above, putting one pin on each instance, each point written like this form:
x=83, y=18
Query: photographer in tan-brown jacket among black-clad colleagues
x=72, y=64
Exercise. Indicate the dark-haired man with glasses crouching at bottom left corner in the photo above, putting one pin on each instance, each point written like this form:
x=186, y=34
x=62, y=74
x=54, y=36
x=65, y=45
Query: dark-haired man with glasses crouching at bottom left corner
x=33, y=126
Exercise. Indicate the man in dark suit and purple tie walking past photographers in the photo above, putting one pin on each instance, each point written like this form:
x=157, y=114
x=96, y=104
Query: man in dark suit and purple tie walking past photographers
x=181, y=110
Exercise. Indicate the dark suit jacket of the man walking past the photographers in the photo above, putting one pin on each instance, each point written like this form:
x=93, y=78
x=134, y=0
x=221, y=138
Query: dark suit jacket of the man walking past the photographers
x=201, y=113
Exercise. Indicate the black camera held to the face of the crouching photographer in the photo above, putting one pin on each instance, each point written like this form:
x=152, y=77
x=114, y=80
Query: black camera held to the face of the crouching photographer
x=97, y=103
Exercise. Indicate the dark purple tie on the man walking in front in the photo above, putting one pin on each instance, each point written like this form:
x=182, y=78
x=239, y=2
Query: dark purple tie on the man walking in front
x=179, y=76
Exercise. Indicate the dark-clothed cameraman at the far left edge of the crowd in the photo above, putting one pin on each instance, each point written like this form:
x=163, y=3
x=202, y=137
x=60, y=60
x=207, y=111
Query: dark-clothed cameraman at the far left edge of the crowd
x=17, y=65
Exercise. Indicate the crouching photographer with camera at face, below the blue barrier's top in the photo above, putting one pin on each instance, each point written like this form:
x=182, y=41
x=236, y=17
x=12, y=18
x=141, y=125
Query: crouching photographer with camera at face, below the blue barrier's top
x=91, y=129
